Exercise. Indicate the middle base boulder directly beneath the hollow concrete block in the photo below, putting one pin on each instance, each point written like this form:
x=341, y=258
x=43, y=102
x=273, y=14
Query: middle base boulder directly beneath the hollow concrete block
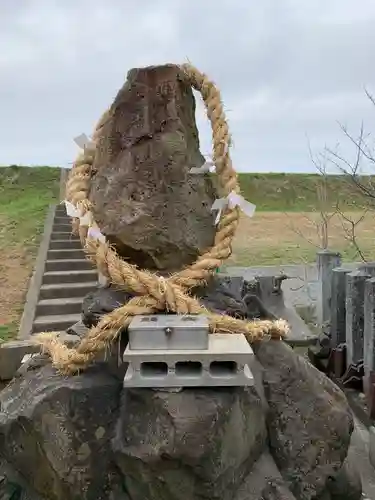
x=195, y=443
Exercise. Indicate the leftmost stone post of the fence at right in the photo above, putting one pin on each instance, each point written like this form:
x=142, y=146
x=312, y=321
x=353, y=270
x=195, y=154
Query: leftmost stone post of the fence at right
x=326, y=262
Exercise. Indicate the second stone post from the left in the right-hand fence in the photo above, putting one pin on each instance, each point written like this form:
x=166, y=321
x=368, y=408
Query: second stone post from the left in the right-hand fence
x=338, y=307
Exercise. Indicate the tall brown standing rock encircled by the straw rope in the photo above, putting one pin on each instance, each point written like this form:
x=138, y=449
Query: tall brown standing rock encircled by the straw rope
x=145, y=200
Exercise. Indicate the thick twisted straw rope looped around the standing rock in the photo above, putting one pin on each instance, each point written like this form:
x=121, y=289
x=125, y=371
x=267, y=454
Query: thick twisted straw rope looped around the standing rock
x=152, y=293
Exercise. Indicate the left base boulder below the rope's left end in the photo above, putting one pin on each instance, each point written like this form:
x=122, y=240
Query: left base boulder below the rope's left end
x=57, y=432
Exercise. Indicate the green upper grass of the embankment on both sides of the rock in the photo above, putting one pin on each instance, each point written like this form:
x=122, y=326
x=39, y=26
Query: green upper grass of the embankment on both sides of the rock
x=26, y=192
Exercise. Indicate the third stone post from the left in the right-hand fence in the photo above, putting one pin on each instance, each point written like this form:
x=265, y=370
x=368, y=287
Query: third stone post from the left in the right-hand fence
x=355, y=295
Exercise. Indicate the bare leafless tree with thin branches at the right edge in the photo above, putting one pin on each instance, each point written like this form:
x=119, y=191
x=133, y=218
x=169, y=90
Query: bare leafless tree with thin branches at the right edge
x=351, y=211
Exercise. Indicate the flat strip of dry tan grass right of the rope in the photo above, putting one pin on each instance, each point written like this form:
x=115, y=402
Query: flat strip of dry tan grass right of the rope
x=271, y=238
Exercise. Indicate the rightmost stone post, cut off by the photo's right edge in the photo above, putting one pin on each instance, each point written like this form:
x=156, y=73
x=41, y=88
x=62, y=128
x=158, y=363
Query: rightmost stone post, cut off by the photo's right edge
x=369, y=333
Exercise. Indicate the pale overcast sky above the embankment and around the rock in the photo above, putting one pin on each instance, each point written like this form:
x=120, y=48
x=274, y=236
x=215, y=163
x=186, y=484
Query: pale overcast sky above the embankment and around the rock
x=288, y=70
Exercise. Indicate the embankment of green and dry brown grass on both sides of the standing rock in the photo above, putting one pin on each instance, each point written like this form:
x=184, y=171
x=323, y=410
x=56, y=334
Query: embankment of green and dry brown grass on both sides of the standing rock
x=282, y=230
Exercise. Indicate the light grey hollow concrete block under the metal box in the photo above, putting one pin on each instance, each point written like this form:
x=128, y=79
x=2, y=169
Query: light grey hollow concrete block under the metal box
x=224, y=363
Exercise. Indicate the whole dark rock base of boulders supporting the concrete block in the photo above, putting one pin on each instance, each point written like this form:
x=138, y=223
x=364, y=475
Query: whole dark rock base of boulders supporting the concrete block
x=85, y=438
